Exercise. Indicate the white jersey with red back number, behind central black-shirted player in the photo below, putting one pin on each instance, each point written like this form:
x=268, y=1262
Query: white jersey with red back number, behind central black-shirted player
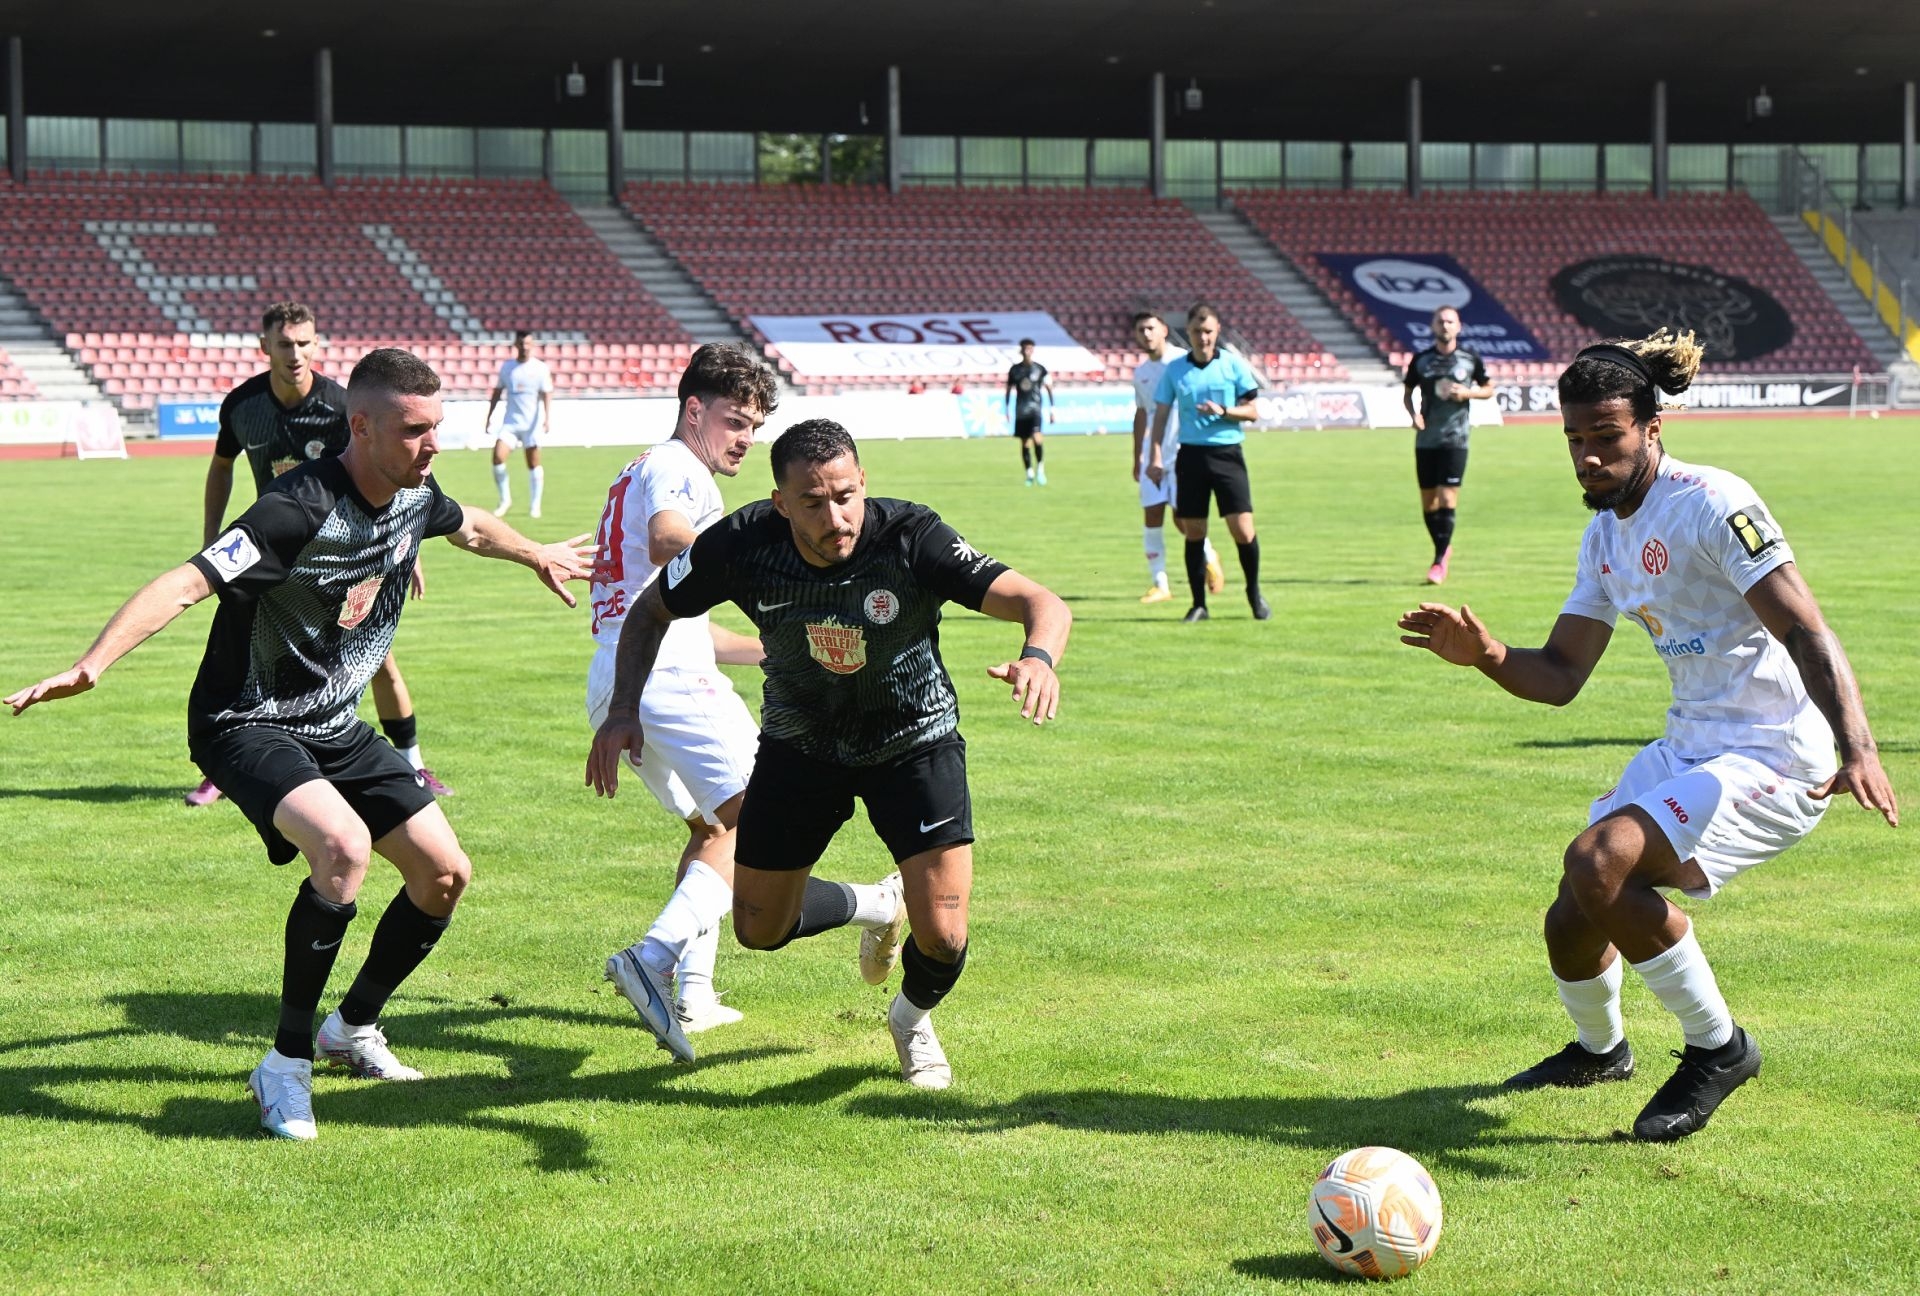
x=667, y=477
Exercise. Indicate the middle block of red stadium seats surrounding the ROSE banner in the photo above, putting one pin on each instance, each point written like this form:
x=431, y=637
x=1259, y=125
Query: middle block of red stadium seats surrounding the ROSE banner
x=1090, y=258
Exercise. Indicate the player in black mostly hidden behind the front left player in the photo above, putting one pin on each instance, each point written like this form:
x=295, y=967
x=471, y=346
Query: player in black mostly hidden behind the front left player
x=283, y=420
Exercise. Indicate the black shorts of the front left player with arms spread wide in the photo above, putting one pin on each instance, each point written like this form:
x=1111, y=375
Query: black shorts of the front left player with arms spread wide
x=256, y=767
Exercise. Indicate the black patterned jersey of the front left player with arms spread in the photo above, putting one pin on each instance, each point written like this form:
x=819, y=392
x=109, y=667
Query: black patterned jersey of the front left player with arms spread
x=310, y=581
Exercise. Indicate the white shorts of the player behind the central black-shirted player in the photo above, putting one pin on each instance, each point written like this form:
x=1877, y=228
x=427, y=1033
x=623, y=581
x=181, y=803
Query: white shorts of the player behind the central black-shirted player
x=700, y=738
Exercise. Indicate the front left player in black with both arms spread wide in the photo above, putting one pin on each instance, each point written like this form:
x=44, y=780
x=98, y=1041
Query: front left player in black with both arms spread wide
x=312, y=581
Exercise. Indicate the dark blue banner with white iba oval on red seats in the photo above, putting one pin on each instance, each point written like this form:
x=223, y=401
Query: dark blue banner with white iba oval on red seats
x=1404, y=289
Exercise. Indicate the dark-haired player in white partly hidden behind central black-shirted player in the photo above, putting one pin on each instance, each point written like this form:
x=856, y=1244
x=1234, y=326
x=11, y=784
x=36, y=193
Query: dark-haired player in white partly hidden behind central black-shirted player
x=702, y=742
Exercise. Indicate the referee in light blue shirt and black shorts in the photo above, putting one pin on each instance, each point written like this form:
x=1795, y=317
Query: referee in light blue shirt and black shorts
x=1214, y=393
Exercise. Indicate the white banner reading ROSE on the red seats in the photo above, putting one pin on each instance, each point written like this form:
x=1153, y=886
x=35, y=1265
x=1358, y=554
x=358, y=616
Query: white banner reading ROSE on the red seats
x=865, y=347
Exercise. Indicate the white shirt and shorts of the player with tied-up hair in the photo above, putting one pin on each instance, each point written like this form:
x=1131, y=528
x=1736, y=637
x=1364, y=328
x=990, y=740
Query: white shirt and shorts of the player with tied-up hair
x=1744, y=740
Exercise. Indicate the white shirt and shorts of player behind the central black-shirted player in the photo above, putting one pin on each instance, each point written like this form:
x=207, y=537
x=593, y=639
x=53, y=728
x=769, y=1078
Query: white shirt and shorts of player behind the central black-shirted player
x=700, y=738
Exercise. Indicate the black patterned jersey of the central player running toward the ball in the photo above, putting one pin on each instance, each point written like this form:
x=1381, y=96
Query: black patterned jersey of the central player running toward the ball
x=853, y=652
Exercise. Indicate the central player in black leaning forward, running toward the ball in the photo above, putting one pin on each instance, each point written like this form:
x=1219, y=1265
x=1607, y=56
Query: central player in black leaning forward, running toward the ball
x=848, y=598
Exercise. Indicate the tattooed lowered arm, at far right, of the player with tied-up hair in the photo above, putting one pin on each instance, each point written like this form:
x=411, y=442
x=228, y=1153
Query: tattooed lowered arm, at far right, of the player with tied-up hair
x=1790, y=613
